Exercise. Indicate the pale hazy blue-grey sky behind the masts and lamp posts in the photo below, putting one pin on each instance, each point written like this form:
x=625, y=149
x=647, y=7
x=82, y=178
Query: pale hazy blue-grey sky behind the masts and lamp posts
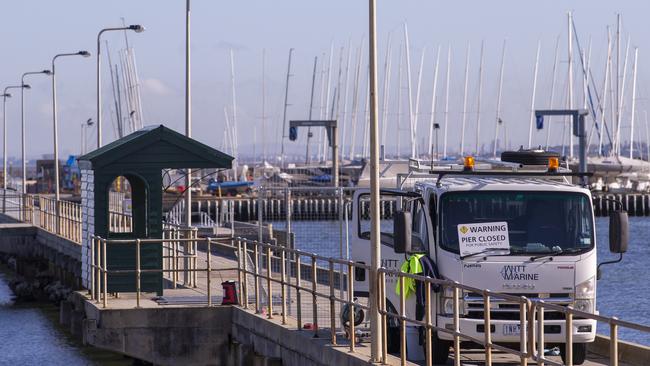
x=35, y=30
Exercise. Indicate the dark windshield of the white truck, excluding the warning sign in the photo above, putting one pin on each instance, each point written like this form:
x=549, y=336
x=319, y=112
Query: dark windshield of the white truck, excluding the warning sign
x=537, y=222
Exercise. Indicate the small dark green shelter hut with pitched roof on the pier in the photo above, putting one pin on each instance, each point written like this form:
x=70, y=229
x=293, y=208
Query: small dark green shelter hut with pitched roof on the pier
x=139, y=158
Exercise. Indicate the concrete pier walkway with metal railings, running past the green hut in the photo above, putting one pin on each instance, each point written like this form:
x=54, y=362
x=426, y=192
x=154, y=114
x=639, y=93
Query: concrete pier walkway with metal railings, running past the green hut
x=288, y=301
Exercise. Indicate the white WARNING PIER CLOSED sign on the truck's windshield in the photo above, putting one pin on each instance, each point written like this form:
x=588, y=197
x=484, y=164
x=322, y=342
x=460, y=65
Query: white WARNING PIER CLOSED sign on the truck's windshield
x=475, y=238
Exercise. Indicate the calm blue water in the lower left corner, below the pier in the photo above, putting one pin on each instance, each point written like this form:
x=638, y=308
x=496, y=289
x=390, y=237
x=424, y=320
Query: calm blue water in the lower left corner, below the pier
x=29, y=336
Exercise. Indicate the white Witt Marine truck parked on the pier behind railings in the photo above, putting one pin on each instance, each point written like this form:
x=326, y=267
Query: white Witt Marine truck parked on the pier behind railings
x=518, y=227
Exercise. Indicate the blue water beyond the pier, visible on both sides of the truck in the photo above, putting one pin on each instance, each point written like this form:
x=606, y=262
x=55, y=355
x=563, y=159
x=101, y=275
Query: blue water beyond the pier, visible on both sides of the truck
x=623, y=290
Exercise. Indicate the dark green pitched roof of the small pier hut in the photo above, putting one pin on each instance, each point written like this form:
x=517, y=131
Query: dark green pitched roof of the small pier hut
x=157, y=147
